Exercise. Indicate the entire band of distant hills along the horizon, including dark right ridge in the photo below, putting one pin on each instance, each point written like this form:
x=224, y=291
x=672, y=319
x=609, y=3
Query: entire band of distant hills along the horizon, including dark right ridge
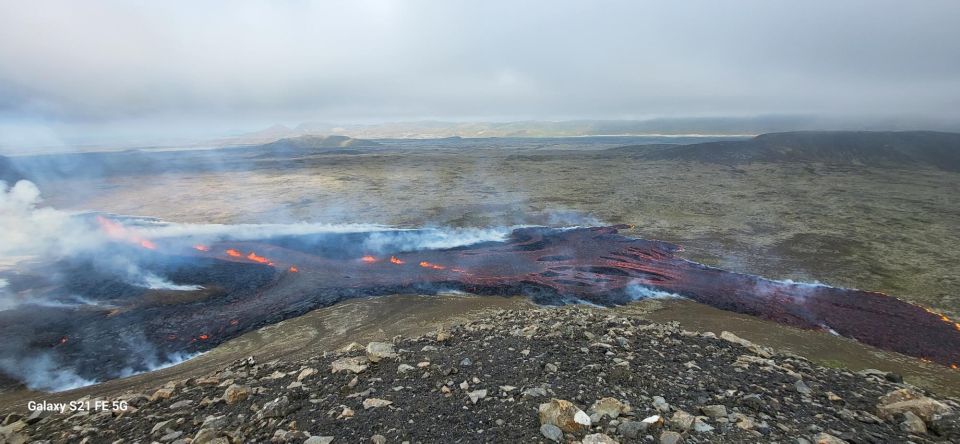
x=897, y=149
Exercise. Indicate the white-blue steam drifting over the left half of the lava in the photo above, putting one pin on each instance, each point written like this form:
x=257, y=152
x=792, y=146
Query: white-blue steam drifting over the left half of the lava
x=28, y=230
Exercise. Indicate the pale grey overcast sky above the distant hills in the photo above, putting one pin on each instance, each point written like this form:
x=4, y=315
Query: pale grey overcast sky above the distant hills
x=99, y=69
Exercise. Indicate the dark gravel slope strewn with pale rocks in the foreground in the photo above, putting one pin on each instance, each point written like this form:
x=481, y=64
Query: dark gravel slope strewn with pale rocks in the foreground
x=572, y=374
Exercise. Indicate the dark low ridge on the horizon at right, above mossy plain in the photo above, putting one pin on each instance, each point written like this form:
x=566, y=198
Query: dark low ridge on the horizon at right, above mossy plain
x=881, y=148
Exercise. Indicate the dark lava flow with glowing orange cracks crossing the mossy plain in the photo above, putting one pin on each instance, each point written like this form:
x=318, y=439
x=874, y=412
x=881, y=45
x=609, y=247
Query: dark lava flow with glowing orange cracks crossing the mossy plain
x=241, y=292
